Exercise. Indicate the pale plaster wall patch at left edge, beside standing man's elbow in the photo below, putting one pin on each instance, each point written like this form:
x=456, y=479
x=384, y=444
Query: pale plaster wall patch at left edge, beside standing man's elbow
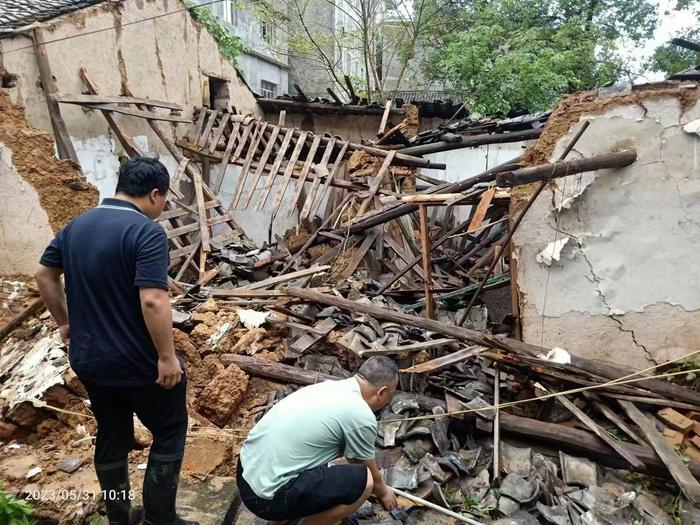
x=24, y=225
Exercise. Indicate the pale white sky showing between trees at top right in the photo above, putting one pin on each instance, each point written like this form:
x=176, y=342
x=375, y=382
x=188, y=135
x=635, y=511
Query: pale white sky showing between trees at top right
x=671, y=23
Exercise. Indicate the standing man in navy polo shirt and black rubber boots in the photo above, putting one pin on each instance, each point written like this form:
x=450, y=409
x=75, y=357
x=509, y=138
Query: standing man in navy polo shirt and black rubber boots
x=116, y=313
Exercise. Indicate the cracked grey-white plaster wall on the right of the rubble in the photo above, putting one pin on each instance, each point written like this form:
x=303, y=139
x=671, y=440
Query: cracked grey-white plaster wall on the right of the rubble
x=626, y=286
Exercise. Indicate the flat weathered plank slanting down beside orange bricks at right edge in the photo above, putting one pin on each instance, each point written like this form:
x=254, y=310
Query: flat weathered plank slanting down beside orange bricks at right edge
x=678, y=469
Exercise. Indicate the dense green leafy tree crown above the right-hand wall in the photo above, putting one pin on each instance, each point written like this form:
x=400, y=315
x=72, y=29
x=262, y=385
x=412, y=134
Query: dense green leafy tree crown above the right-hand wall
x=511, y=55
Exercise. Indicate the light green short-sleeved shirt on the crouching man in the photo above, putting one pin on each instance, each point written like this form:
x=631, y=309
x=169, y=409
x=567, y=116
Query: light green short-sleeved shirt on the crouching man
x=311, y=427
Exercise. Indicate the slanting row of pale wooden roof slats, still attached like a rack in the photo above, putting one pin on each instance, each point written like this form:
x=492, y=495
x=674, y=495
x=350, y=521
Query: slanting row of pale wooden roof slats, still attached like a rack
x=272, y=155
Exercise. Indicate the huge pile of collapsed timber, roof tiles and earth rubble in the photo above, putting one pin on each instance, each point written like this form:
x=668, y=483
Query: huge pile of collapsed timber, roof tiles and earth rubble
x=485, y=428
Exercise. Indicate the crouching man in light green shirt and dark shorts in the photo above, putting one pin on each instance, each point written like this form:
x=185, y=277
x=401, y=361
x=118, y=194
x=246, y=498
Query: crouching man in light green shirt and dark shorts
x=283, y=471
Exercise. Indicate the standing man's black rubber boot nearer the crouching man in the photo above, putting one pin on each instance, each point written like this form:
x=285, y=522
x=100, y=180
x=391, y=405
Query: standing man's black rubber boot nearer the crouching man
x=160, y=490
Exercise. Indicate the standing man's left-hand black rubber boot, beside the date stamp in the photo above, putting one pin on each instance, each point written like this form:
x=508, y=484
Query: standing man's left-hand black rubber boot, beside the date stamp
x=116, y=493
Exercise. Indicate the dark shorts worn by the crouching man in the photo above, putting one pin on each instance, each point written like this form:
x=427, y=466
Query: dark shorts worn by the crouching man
x=311, y=492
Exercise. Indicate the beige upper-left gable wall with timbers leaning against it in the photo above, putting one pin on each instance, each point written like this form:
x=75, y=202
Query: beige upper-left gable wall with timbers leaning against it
x=169, y=57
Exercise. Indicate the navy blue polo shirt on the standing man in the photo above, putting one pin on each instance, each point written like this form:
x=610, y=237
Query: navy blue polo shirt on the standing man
x=107, y=254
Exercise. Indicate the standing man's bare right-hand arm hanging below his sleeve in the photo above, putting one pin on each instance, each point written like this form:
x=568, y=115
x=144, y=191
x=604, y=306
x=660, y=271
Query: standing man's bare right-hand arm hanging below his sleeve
x=158, y=316
